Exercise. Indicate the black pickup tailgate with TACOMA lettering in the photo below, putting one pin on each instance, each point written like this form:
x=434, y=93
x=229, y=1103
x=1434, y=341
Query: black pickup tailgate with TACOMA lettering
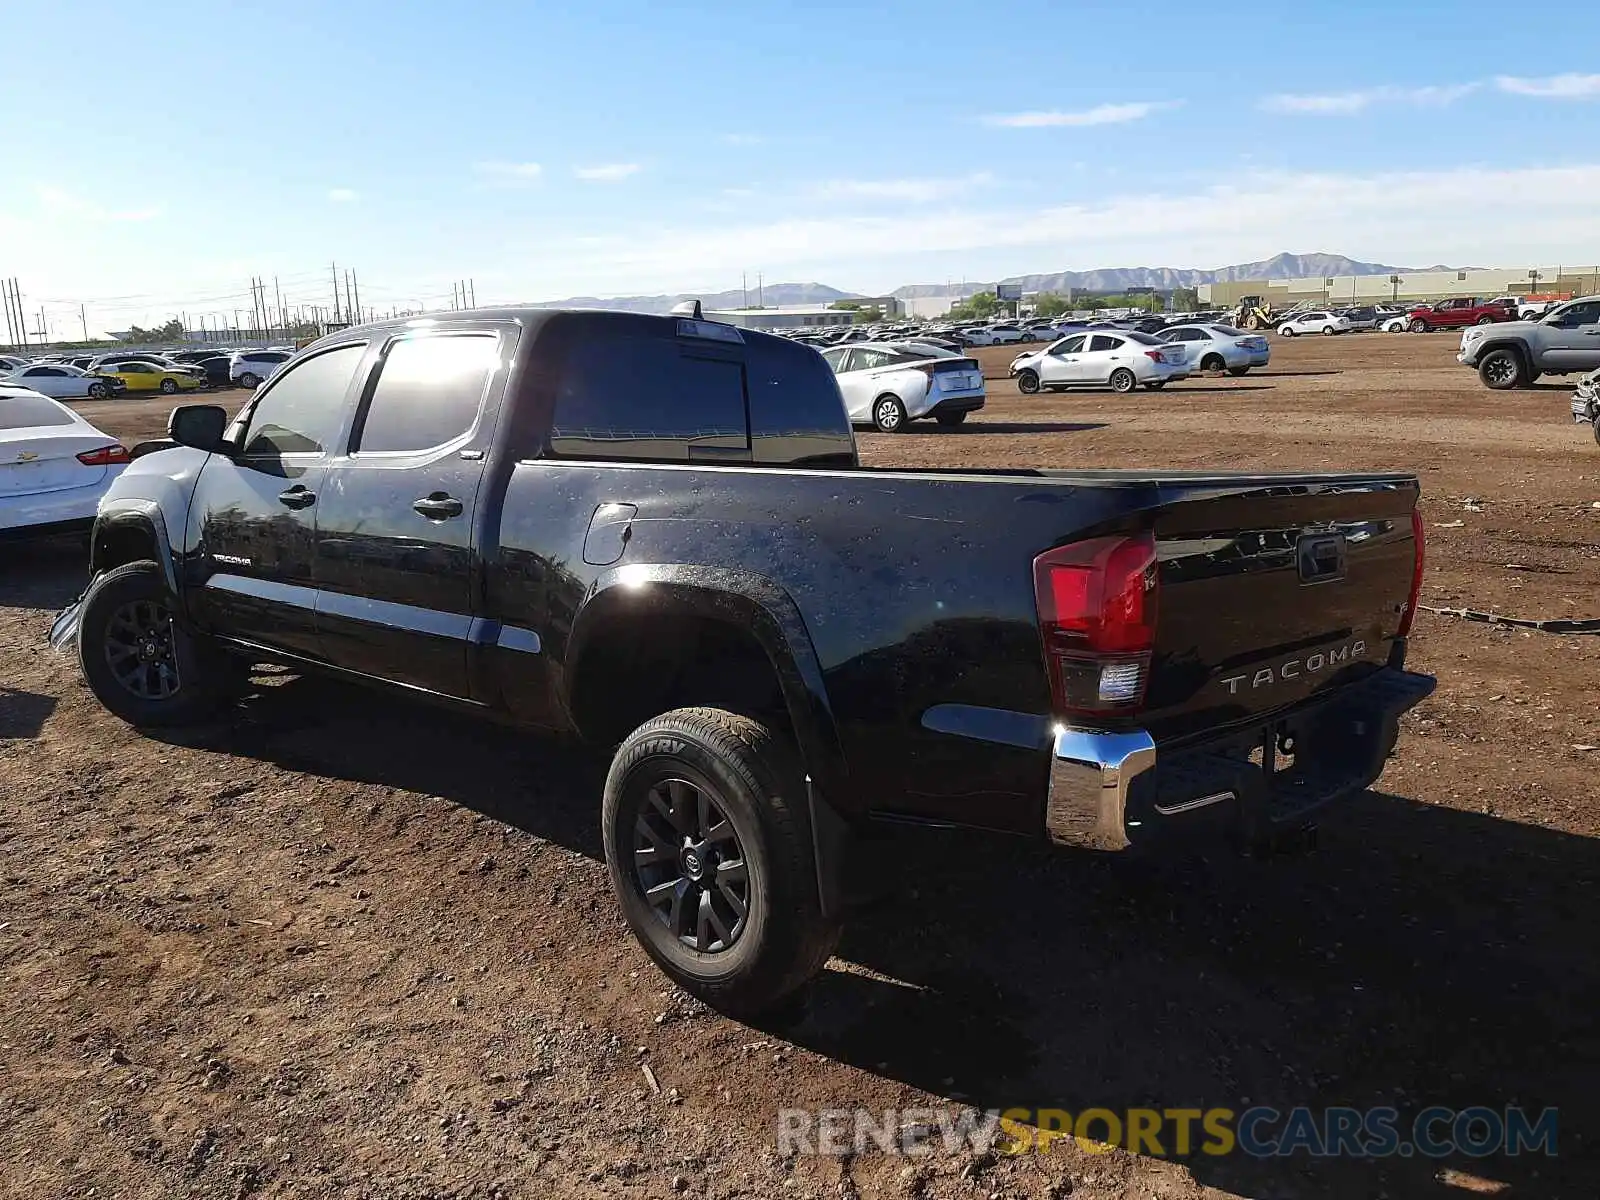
x=1271, y=596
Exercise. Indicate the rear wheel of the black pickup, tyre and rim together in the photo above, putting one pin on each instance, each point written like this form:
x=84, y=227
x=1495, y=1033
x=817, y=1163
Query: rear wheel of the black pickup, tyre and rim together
x=711, y=862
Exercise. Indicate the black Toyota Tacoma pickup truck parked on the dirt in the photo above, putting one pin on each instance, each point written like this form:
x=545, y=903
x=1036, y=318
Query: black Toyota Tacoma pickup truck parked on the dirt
x=654, y=532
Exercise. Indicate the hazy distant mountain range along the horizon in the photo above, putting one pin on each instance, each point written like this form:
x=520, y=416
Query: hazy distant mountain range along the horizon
x=1105, y=281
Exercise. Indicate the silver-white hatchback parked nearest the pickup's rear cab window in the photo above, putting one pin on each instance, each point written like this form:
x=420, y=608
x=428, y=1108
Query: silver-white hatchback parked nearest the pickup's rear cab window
x=890, y=385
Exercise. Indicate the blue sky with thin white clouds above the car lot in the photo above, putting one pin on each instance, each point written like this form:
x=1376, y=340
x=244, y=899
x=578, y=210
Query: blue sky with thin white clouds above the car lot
x=554, y=150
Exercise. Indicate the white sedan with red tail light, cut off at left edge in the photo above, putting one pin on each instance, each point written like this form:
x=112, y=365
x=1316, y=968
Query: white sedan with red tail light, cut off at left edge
x=54, y=465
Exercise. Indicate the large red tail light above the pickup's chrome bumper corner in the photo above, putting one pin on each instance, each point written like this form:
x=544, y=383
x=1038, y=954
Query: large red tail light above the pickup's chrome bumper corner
x=1097, y=617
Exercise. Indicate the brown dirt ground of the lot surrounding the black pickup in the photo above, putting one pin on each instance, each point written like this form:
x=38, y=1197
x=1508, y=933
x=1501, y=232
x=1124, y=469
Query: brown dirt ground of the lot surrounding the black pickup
x=340, y=946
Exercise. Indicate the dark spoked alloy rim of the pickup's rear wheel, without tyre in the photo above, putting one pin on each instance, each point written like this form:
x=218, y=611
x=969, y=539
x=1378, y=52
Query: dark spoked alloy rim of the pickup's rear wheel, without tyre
x=690, y=866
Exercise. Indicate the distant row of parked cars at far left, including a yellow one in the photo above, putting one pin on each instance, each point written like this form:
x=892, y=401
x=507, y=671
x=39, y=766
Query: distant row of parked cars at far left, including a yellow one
x=86, y=377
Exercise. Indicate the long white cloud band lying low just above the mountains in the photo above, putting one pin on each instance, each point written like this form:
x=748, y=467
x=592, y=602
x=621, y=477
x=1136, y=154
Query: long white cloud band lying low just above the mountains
x=1396, y=217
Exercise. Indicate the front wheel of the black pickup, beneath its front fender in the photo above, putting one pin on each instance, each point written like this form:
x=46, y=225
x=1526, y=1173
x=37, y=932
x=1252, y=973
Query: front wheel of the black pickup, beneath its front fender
x=138, y=662
